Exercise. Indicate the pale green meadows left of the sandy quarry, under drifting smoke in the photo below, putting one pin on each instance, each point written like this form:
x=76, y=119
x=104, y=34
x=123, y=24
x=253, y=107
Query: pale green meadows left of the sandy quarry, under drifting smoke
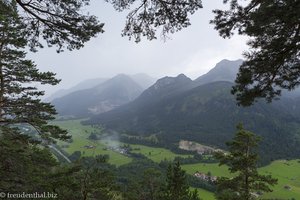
x=80, y=134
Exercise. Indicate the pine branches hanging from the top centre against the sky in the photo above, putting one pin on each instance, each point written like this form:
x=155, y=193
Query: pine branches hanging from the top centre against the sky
x=150, y=15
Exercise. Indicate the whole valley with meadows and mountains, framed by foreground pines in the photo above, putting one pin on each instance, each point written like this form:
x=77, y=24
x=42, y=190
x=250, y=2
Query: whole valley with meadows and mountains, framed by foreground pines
x=139, y=126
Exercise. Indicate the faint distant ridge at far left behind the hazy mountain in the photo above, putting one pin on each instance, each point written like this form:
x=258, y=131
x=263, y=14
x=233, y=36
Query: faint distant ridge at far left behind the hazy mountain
x=80, y=86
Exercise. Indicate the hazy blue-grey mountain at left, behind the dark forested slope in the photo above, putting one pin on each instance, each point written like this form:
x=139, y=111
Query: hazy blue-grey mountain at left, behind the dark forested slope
x=114, y=92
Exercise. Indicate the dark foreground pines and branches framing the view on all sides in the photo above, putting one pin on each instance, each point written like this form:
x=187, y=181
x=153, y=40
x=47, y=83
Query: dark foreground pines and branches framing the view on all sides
x=271, y=64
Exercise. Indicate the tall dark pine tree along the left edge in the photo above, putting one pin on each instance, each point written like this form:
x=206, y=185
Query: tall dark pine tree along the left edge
x=24, y=164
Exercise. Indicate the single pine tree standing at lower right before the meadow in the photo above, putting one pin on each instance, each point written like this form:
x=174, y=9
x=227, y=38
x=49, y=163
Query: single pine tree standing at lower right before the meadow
x=242, y=162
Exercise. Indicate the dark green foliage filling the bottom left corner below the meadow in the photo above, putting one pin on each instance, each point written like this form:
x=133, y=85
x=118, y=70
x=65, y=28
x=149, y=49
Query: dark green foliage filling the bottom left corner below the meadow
x=26, y=167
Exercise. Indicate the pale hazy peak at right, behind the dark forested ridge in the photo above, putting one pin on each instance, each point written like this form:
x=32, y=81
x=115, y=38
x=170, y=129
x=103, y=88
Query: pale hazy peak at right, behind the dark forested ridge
x=225, y=70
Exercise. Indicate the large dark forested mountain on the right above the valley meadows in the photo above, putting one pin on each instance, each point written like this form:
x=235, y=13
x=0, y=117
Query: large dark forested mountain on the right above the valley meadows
x=174, y=109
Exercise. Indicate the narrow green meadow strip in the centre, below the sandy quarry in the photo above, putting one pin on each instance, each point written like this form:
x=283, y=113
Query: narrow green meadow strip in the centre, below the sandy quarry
x=156, y=154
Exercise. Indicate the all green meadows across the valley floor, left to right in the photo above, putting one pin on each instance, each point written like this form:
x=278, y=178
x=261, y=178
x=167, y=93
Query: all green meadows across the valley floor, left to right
x=287, y=172
